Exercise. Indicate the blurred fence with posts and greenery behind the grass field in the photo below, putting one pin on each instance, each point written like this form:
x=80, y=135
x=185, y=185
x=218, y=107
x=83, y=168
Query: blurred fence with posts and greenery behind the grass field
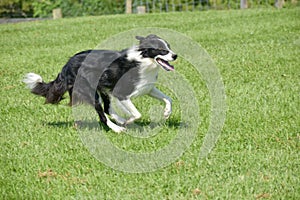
x=73, y=8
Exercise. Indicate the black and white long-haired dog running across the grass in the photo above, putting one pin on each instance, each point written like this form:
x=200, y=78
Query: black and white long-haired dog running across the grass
x=110, y=74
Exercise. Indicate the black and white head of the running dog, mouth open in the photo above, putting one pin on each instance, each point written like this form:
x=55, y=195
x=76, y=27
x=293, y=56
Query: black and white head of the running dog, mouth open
x=158, y=49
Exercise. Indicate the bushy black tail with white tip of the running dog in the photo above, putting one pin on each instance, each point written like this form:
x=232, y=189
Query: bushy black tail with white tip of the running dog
x=52, y=91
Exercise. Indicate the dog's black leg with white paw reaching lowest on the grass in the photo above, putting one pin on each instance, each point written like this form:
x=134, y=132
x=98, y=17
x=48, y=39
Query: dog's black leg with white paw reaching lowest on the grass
x=104, y=118
